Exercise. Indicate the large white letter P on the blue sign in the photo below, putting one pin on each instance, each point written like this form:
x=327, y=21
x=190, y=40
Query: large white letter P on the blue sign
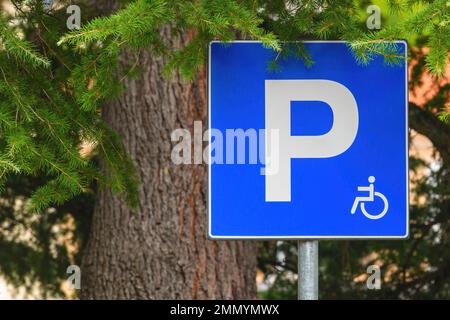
x=279, y=94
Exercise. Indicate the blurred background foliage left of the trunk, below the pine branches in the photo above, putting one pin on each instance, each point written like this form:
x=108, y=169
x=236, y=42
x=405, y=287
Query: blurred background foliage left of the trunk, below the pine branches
x=36, y=249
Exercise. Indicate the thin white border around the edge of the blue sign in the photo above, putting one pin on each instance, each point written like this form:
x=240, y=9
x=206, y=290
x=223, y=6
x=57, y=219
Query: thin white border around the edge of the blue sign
x=303, y=237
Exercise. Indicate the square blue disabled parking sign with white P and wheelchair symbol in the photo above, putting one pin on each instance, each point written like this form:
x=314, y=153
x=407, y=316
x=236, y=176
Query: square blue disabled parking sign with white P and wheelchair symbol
x=306, y=152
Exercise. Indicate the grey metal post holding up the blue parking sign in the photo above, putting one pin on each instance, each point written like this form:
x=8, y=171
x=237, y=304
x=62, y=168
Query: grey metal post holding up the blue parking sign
x=308, y=270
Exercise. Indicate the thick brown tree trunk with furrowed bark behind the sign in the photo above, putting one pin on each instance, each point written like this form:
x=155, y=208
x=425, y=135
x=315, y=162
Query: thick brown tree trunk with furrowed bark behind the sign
x=160, y=250
